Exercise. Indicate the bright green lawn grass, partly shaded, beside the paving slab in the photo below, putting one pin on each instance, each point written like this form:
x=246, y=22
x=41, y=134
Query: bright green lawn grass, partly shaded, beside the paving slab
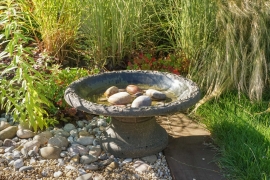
x=242, y=135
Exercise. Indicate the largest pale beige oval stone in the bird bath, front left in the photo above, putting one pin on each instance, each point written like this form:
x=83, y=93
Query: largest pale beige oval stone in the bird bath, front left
x=120, y=98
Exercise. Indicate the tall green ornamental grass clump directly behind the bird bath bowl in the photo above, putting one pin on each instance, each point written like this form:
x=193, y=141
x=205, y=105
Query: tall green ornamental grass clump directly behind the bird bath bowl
x=114, y=28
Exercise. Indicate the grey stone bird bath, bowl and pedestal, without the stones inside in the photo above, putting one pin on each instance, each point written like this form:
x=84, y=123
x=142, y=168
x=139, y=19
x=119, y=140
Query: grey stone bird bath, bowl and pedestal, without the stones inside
x=133, y=132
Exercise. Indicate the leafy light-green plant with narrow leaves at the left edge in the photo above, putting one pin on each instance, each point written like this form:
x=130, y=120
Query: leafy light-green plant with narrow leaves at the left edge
x=22, y=89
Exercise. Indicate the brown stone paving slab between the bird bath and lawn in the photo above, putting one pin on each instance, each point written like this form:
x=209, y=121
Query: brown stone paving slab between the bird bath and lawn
x=190, y=153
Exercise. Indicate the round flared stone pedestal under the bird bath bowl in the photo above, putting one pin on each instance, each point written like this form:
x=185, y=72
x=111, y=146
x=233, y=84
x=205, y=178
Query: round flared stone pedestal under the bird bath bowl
x=134, y=137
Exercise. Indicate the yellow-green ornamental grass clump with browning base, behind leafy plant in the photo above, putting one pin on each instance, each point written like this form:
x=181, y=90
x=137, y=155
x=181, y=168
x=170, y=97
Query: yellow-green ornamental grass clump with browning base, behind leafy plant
x=57, y=23
